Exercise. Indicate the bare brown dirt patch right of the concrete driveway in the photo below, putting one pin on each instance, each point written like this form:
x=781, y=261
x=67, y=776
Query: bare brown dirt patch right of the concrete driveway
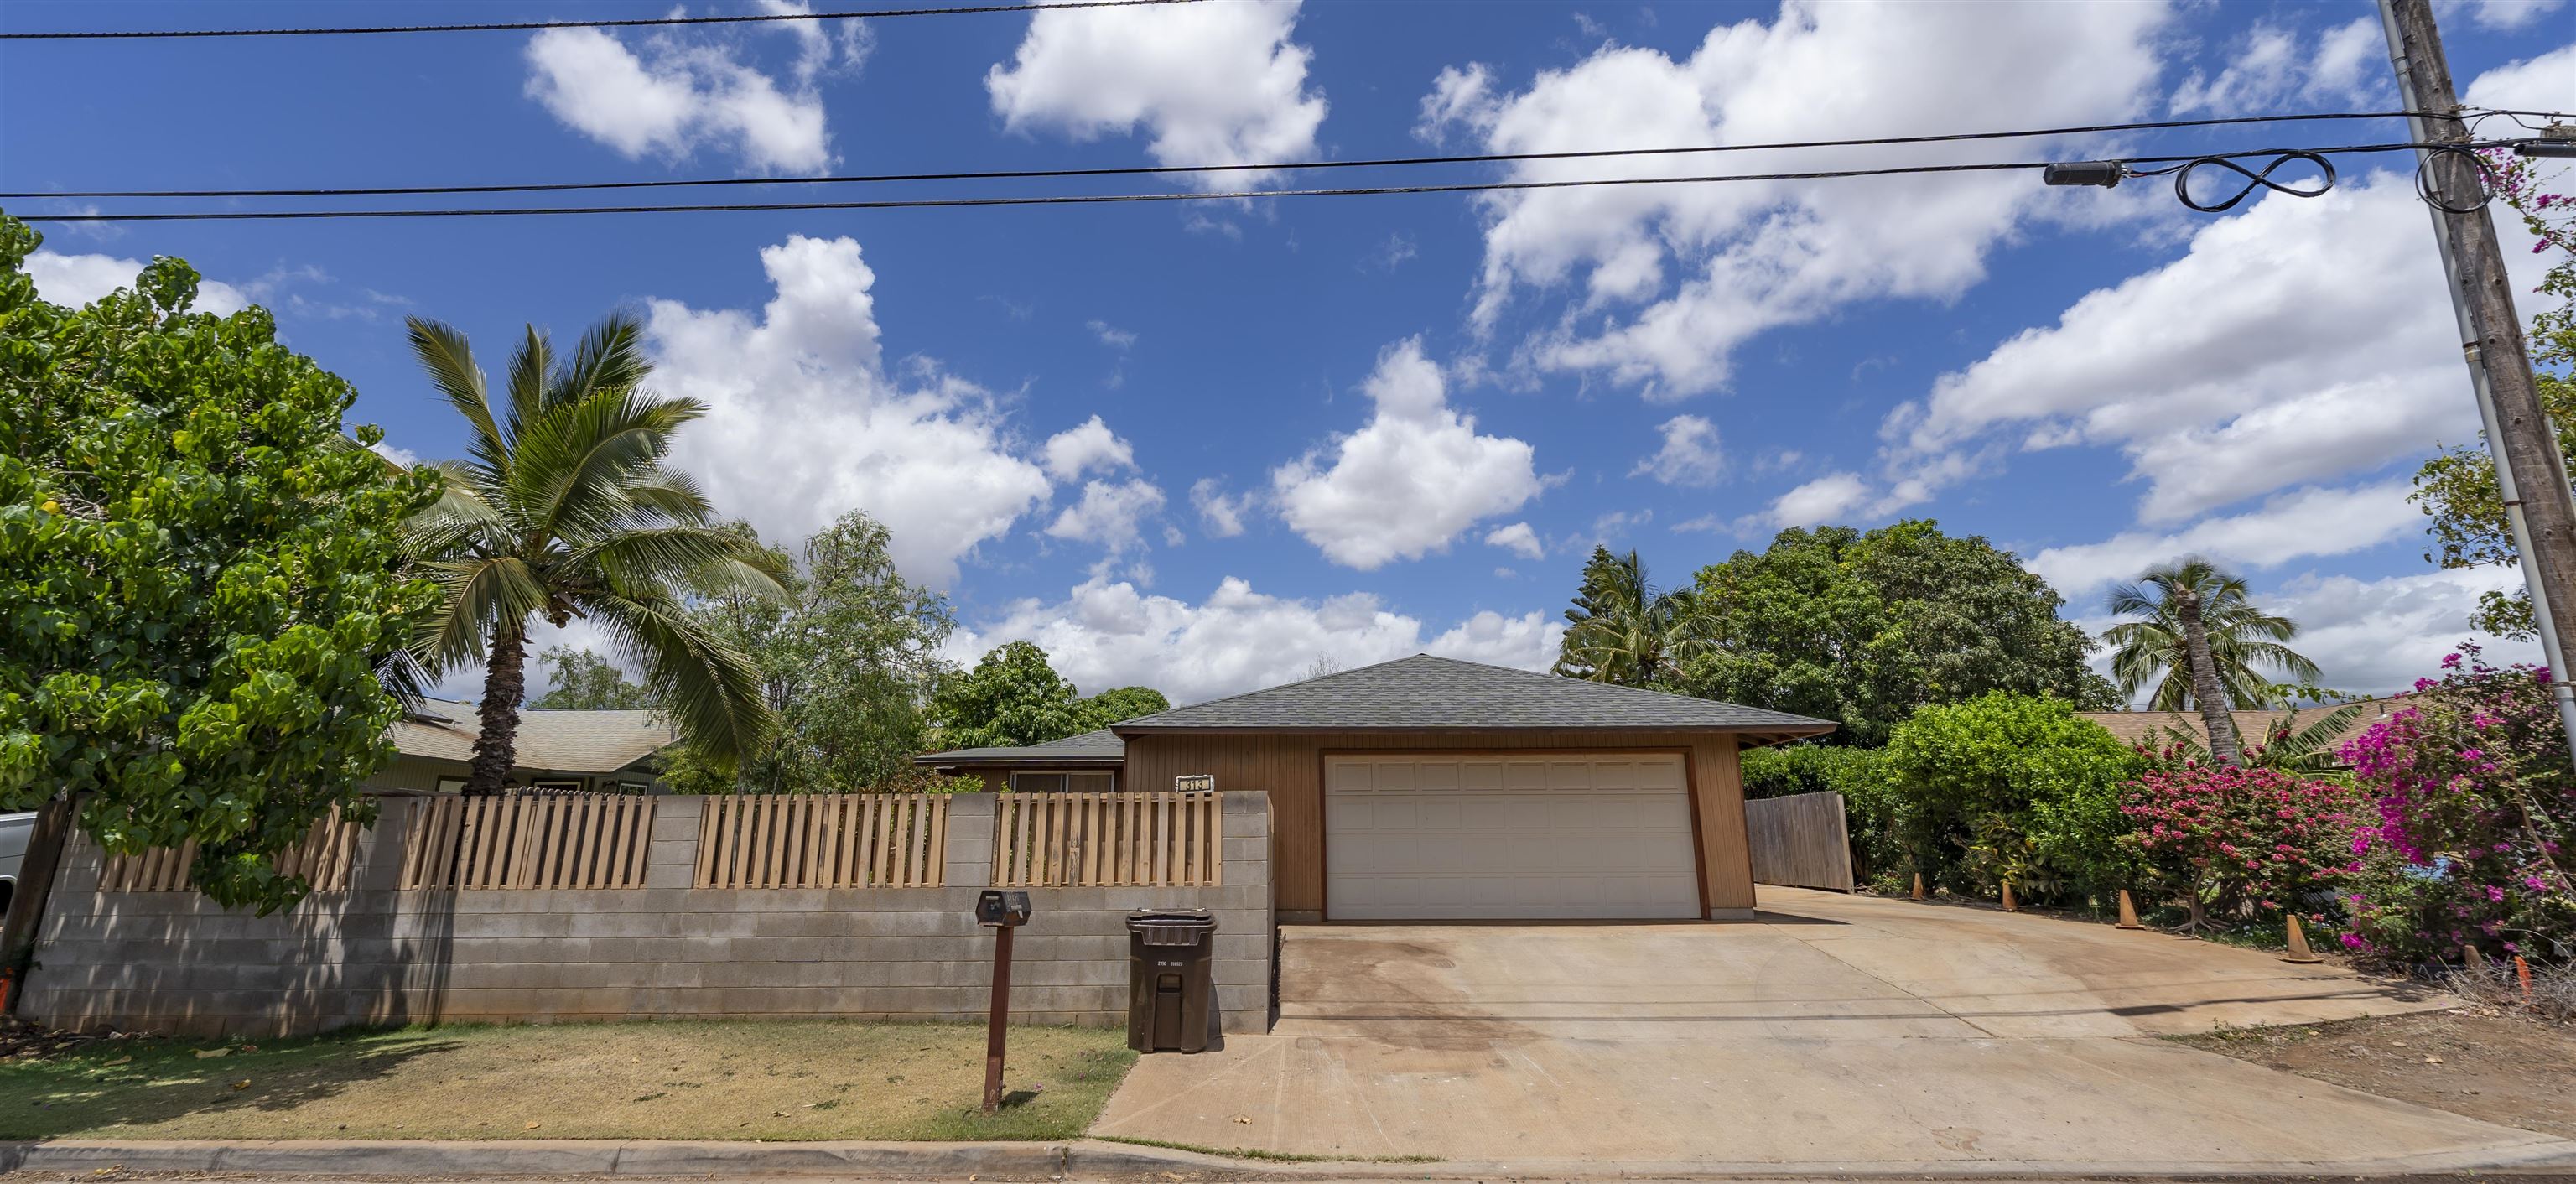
x=2469, y=1062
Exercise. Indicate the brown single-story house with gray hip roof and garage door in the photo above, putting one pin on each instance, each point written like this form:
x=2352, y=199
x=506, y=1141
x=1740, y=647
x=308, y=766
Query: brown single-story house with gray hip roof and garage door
x=1436, y=789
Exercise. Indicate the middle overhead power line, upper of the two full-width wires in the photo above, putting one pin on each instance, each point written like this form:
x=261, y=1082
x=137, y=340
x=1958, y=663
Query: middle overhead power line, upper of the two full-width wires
x=1132, y=171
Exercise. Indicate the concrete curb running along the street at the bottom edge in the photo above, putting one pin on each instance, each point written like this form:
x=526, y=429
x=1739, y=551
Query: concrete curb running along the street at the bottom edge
x=1094, y=1160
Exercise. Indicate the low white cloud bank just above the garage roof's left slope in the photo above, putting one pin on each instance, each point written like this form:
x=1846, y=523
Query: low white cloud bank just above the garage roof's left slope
x=1109, y=634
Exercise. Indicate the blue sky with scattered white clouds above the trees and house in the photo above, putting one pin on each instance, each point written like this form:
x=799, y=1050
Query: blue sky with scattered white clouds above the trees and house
x=1207, y=444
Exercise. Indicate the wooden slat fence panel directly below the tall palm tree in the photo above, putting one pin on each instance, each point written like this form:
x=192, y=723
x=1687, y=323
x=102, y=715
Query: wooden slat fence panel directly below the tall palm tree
x=529, y=840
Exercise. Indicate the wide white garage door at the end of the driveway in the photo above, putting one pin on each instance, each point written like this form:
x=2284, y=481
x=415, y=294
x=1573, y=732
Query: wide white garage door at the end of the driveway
x=1508, y=838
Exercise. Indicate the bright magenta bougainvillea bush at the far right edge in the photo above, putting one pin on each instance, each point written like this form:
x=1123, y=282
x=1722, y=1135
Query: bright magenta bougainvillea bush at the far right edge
x=2474, y=815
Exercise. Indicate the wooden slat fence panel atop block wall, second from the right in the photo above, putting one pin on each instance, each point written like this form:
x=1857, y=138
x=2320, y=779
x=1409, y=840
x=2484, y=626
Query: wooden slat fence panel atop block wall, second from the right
x=826, y=840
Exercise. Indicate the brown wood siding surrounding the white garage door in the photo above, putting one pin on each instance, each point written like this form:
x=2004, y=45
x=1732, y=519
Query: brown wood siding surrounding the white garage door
x=1292, y=771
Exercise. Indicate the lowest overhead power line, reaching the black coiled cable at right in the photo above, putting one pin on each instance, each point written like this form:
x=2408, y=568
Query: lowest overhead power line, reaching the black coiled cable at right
x=1106, y=199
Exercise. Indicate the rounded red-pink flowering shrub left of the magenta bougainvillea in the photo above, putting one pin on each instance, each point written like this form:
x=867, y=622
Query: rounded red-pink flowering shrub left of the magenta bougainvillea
x=2242, y=843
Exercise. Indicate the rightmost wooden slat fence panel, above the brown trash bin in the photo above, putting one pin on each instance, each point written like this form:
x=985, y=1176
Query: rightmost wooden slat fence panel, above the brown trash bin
x=1106, y=840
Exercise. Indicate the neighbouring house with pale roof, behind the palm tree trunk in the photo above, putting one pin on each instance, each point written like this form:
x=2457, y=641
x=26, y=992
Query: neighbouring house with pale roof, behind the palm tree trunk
x=558, y=750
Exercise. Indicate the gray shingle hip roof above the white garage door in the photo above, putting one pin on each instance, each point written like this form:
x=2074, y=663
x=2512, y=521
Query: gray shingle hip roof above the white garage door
x=1449, y=694
